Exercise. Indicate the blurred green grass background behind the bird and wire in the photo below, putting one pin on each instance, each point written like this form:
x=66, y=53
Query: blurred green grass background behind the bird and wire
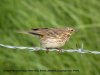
x=26, y=14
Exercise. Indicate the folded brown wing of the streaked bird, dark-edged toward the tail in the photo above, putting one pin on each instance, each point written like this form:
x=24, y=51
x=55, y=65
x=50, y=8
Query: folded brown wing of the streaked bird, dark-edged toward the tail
x=54, y=32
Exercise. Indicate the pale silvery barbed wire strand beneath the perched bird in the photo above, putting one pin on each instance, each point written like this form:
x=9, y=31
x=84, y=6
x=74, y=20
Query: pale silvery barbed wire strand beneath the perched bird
x=80, y=50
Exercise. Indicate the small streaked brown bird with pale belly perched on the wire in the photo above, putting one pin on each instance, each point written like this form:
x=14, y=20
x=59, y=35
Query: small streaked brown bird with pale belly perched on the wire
x=52, y=38
